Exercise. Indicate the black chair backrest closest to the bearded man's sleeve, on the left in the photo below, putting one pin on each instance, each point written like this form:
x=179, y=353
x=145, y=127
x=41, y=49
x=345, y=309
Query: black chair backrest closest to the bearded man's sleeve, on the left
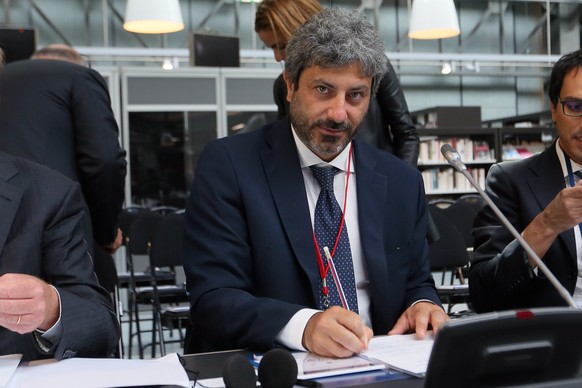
x=167, y=243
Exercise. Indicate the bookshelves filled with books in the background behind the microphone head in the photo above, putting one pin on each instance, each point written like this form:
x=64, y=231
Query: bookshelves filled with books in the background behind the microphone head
x=480, y=146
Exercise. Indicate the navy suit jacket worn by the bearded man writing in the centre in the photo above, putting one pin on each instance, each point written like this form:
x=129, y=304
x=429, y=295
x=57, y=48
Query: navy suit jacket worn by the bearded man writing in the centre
x=249, y=253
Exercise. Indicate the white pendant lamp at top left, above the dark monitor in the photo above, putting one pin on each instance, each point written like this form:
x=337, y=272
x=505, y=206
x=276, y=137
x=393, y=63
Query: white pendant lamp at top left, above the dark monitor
x=153, y=16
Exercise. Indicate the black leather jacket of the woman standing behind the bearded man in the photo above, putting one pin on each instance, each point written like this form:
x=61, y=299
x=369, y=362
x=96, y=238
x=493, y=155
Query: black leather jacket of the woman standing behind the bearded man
x=387, y=125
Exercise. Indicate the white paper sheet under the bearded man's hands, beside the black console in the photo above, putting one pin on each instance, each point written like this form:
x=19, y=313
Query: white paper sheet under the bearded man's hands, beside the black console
x=405, y=353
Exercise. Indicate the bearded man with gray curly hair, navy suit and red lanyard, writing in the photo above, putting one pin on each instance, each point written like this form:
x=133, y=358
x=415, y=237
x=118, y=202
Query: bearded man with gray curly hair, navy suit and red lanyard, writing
x=299, y=236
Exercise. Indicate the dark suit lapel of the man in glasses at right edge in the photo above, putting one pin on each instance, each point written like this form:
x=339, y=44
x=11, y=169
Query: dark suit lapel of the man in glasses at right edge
x=546, y=185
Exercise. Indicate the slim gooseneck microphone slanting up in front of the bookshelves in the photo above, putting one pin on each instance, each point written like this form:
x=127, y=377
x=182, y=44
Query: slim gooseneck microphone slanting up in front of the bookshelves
x=454, y=159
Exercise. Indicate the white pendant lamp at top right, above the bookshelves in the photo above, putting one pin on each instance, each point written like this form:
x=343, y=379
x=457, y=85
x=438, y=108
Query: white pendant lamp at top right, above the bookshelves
x=433, y=19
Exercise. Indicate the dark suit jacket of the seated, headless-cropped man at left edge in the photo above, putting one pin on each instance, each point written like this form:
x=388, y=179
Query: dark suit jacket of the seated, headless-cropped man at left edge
x=40, y=235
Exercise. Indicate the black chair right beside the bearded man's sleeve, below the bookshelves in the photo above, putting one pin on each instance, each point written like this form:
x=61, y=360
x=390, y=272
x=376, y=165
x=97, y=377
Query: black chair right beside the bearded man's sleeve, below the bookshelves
x=449, y=256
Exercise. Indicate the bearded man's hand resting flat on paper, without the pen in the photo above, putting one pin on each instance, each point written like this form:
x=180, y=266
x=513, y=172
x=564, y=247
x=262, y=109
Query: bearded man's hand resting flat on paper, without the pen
x=417, y=318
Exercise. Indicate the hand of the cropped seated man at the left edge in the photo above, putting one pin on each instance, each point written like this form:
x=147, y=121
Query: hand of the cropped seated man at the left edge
x=27, y=303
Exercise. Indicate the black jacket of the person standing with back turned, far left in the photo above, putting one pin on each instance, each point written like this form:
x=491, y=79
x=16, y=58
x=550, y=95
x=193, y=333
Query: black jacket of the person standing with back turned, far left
x=59, y=114
